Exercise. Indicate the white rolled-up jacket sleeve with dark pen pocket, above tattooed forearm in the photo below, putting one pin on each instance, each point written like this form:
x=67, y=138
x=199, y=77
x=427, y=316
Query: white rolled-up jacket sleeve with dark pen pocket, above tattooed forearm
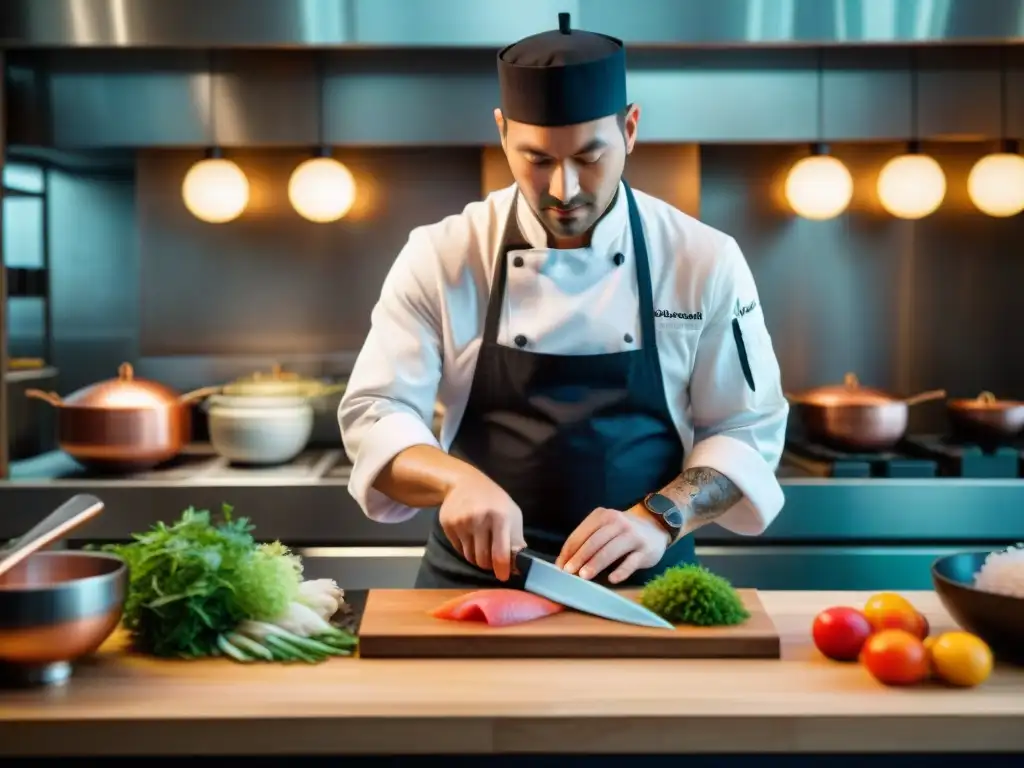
x=739, y=411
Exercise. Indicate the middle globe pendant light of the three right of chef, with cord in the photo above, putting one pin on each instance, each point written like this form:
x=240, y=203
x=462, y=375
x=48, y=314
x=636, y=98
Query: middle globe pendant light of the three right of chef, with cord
x=912, y=186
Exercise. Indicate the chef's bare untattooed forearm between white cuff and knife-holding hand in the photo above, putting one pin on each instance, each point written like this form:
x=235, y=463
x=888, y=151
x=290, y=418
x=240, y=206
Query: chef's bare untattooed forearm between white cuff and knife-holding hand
x=421, y=477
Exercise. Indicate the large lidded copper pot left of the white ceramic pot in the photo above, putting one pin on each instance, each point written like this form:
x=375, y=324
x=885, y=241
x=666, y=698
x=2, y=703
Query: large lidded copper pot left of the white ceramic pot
x=123, y=424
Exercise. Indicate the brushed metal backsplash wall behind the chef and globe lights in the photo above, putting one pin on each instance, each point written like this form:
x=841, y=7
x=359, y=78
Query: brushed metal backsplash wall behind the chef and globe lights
x=908, y=307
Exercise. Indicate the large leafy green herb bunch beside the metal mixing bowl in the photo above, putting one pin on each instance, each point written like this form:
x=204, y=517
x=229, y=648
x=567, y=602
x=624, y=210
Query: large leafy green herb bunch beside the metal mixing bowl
x=195, y=580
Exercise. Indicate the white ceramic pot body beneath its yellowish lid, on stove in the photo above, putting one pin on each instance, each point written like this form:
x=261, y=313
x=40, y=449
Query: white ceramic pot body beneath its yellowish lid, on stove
x=260, y=431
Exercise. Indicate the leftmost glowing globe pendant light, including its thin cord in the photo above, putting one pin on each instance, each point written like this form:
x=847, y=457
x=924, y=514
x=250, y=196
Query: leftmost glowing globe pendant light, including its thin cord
x=216, y=190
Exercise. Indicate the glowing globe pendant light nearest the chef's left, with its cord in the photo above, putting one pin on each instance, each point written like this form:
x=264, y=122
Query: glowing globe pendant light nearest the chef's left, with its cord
x=322, y=190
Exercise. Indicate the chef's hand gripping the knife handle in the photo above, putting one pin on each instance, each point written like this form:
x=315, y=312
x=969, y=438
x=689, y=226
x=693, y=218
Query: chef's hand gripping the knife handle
x=483, y=523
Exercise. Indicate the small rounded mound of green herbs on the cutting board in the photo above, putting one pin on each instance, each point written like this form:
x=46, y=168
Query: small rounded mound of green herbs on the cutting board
x=692, y=594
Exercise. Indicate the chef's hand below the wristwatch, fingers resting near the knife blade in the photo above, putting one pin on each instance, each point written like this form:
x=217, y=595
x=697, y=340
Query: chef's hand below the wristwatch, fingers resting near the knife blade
x=610, y=535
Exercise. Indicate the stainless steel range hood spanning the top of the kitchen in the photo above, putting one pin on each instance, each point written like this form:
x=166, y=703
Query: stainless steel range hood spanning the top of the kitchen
x=151, y=74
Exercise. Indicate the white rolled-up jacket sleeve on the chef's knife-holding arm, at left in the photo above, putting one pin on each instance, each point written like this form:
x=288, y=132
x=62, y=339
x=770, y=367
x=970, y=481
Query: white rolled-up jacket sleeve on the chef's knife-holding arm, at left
x=389, y=404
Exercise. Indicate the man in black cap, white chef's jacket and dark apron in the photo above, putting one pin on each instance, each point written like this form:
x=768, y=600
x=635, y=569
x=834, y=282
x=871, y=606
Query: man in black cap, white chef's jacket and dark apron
x=602, y=359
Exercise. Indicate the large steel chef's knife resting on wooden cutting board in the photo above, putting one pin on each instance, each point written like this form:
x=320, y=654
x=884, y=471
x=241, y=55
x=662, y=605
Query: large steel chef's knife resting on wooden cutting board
x=547, y=580
